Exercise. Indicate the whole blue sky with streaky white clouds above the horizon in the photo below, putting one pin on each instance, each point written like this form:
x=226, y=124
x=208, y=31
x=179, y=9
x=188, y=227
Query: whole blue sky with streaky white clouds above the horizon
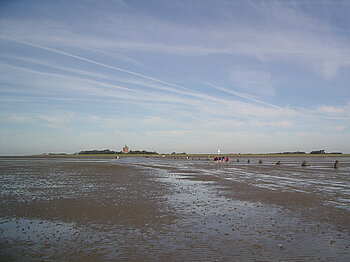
x=174, y=76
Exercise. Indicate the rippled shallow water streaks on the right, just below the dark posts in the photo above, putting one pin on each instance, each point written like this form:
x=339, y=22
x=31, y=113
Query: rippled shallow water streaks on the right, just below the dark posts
x=318, y=178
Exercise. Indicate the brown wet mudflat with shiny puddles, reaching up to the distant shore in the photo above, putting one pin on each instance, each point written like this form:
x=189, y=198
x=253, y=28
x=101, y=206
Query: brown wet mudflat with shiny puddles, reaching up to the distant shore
x=136, y=209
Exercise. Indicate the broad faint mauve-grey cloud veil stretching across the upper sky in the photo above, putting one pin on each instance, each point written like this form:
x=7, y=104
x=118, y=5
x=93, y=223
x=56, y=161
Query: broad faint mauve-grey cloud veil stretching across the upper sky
x=283, y=33
